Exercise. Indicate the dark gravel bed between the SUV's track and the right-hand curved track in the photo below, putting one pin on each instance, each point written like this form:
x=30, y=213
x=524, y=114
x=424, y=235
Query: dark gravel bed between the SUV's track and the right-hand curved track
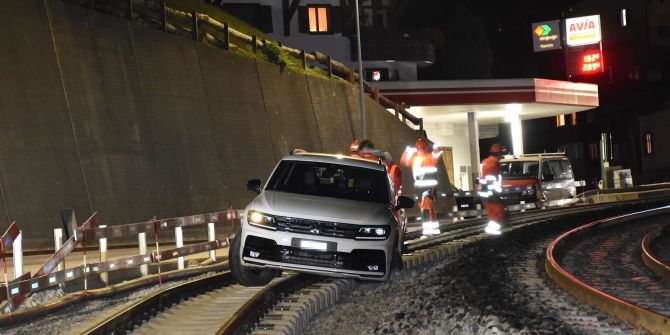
x=475, y=293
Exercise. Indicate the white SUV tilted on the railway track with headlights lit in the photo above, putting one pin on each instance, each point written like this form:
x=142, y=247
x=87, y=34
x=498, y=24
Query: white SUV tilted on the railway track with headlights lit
x=322, y=214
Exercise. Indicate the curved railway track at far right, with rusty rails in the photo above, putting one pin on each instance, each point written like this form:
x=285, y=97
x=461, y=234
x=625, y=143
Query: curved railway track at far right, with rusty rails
x=602, y=264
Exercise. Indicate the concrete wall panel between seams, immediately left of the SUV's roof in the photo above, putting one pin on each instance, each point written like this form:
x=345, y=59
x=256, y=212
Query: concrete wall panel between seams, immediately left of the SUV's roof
x=242, y=129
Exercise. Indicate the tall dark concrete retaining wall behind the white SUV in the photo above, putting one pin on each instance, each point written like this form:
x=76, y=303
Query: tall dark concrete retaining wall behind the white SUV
x=103, y=115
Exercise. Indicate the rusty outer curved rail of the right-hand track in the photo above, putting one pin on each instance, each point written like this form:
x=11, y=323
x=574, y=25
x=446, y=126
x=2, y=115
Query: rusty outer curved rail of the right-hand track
x=624, y=310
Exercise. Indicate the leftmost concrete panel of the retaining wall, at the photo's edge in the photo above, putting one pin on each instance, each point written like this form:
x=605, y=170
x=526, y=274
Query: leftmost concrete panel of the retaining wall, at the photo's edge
x=39, y=167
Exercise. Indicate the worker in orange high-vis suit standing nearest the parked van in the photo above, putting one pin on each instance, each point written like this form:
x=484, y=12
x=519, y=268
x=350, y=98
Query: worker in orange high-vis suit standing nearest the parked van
x=491, y=188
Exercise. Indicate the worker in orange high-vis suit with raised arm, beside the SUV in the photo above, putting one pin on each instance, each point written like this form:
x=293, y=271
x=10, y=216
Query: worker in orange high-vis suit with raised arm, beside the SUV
x=423, y=160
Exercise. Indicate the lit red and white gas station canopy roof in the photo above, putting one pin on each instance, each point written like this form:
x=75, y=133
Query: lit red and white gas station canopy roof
x=494, y=100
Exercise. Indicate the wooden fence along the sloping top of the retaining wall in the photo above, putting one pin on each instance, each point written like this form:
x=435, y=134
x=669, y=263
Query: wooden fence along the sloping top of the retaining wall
x=202, y=27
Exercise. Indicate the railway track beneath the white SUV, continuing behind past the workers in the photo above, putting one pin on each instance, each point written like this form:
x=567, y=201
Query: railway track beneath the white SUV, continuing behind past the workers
x=265, y=310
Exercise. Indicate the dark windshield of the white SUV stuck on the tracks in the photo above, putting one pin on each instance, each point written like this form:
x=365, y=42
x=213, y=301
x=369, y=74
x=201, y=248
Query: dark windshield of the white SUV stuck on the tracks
x=330, y=180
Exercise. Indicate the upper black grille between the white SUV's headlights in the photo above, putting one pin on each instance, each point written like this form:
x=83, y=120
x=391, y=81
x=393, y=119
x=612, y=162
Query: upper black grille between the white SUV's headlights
x=314, y=227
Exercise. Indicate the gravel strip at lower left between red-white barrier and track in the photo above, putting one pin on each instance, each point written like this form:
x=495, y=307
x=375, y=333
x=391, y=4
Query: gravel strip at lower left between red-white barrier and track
x=71, y=318
